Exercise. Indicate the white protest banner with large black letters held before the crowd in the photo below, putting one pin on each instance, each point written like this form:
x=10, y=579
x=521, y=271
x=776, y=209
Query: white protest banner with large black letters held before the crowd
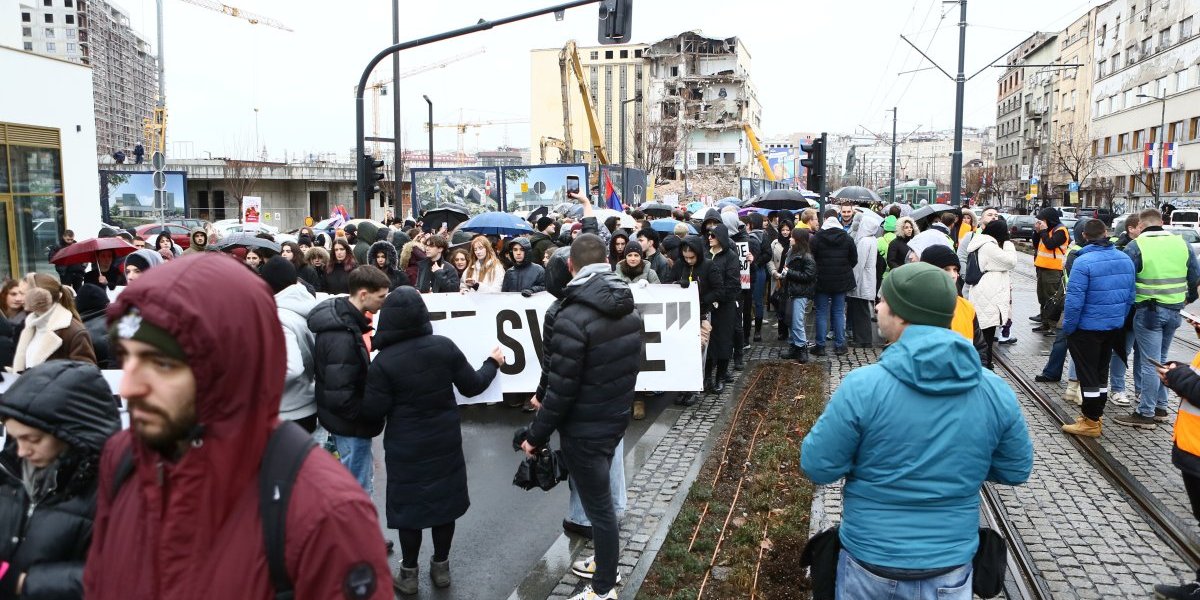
x=477, y=323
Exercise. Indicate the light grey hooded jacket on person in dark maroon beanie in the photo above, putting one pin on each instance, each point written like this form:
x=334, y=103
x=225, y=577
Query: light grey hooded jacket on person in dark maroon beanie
x=299, y=401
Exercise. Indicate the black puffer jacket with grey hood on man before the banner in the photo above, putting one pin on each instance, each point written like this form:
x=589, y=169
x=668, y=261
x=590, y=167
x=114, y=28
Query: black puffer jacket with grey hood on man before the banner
x=596, y=346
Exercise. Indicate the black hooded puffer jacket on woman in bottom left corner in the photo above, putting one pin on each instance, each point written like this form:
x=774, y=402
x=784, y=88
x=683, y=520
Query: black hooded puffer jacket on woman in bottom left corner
x=49, y=541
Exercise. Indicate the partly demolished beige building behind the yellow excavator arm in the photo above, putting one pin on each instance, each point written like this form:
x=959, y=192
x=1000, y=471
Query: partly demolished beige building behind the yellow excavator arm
x=692, y=124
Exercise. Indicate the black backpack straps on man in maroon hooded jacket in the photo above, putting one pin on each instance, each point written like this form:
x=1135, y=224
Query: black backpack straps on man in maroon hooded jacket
x=286, y=452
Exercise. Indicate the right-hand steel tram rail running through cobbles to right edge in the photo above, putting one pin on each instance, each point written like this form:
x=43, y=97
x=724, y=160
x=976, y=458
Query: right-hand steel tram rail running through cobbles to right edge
x=1174, y=532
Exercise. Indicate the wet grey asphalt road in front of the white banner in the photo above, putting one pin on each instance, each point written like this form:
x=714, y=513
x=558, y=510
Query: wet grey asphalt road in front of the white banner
x=507, y=530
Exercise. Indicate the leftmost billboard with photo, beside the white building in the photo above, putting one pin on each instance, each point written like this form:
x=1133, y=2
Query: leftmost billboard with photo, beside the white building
x=128, y=199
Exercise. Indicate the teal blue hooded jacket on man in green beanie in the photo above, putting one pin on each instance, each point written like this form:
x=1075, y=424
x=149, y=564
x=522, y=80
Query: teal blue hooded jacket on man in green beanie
x=916, y=436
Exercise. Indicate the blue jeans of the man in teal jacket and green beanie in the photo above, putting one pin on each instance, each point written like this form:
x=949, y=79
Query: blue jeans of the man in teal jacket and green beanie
x=856, y=583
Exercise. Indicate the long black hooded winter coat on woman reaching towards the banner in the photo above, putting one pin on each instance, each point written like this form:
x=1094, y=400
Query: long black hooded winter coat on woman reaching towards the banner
x=411, y=383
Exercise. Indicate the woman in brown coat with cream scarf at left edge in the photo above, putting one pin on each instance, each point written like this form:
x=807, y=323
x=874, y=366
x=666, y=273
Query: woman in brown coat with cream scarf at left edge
x=53, y=329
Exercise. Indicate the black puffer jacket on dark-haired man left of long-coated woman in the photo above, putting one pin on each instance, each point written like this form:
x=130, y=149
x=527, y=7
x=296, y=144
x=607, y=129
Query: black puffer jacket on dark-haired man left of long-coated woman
x=341, y=364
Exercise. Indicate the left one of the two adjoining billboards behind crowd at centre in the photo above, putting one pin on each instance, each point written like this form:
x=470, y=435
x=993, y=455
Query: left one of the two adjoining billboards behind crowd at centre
x=478, y=189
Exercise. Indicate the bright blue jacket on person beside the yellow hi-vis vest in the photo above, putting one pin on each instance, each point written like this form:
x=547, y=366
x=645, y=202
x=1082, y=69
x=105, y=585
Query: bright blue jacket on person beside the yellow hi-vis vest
x=1100, y=291
